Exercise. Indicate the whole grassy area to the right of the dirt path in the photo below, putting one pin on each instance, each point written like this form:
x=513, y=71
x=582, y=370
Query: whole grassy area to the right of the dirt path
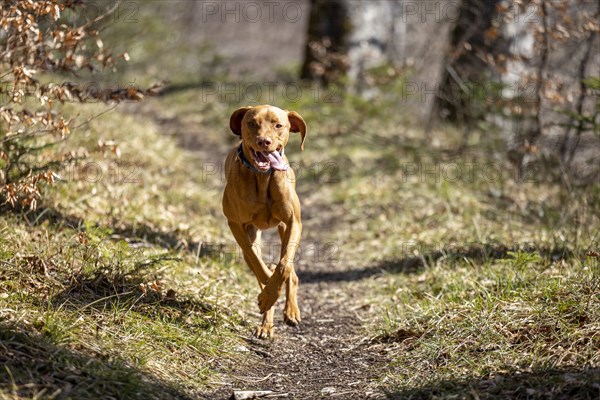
x=487, y=291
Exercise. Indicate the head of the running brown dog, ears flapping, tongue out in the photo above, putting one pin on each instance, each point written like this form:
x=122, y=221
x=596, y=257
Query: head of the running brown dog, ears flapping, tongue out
x=265, y=131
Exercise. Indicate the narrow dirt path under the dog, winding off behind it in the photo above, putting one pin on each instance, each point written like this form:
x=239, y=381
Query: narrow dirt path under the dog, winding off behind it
x=330, y=354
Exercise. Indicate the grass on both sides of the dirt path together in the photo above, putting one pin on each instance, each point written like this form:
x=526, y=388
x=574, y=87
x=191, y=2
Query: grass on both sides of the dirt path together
x=482, y=289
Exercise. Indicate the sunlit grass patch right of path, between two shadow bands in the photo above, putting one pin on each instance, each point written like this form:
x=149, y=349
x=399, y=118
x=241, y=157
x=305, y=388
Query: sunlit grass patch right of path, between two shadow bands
x=460, y=319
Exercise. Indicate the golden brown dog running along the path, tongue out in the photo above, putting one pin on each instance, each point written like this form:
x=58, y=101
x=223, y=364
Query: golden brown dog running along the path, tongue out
x=261, y=193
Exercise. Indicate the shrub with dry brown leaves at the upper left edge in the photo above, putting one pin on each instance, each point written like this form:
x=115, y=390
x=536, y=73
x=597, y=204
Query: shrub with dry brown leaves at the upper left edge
x=44, y=39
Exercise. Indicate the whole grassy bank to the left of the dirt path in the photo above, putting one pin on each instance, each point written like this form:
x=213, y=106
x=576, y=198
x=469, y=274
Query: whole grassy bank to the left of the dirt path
x=103, y=288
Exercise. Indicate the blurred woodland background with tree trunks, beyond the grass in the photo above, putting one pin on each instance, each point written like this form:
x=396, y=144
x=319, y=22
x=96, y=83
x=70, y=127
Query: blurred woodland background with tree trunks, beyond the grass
x=527, y=68
